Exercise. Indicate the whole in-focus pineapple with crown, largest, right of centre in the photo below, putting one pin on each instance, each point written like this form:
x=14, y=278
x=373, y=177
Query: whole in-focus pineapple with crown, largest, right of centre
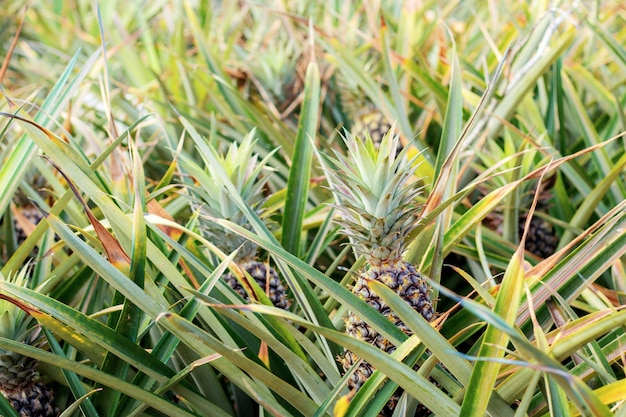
x=375, y=197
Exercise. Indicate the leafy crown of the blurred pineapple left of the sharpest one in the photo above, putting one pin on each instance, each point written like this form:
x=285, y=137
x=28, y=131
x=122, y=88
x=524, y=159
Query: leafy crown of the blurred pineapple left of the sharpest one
x=242, y=168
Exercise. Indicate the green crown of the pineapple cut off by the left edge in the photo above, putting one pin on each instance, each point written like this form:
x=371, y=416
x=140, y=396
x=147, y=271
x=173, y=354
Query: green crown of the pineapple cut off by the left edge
x=15, y=324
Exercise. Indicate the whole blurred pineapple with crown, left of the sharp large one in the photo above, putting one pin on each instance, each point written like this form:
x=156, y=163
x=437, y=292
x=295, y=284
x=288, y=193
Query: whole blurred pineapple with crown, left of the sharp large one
x=241, y=167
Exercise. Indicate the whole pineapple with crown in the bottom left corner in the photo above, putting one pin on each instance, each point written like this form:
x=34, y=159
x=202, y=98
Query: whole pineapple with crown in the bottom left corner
x=19, y=380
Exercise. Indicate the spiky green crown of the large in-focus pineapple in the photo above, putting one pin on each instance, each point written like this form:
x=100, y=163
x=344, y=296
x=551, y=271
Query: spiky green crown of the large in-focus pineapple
x=375, y=196
